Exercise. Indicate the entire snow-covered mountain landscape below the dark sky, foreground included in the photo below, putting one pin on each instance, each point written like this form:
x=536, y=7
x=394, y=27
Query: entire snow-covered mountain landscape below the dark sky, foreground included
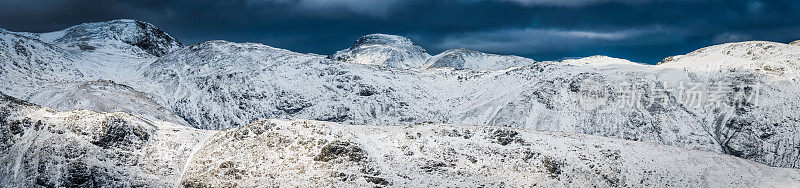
x=385, y=112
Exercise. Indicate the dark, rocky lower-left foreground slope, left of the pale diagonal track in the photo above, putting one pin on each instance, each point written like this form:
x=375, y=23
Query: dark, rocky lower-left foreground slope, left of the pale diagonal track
x=43, y=147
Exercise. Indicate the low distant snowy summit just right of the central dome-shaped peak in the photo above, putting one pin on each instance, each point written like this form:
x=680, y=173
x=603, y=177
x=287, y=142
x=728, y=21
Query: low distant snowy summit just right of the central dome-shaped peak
x=460, y=59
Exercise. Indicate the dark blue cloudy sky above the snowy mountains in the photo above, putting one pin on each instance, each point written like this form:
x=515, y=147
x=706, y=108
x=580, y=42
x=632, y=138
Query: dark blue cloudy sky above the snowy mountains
x=640, y=30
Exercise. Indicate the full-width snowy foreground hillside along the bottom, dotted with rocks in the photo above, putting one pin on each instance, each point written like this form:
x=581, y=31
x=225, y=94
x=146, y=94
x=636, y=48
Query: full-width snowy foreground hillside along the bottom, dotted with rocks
x=45, y=147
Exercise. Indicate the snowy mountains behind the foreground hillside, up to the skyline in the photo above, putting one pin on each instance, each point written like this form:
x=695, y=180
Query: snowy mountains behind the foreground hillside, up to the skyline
x=738, y=98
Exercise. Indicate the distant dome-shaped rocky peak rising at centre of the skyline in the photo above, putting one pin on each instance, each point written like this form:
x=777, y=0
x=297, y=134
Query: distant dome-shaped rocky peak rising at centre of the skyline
x=385, y=50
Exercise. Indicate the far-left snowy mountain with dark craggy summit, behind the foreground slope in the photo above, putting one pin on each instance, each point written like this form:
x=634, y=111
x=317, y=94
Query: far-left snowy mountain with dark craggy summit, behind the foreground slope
x=77, y=67
